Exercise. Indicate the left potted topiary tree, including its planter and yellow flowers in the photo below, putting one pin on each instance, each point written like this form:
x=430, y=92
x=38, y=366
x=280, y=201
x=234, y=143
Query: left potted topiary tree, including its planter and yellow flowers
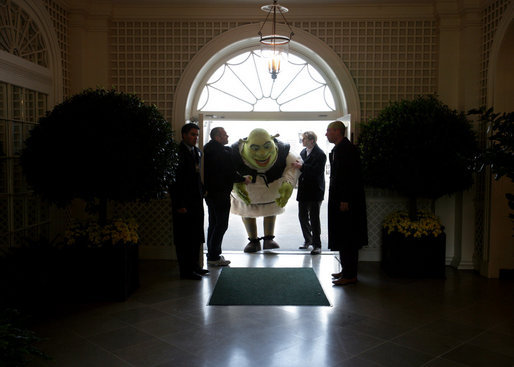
x=101, y=146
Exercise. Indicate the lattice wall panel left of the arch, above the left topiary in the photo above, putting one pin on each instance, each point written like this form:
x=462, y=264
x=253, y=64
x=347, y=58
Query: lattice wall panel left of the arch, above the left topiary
x=148, y=58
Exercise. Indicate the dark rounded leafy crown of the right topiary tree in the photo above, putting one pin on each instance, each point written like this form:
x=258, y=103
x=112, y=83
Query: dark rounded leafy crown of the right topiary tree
x=420, y=148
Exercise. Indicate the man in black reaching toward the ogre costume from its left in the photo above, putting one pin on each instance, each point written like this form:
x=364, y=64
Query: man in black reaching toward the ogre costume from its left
x=219, y=176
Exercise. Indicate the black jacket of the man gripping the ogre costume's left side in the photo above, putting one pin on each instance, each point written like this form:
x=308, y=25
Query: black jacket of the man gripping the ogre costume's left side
x=219, y=170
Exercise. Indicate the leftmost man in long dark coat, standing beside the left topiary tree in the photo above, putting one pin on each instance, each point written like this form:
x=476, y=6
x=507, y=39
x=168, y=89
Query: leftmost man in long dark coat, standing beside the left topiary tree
x=187, y=205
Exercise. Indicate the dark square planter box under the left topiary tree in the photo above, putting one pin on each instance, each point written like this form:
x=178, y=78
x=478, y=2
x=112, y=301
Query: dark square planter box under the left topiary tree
x=101, y=274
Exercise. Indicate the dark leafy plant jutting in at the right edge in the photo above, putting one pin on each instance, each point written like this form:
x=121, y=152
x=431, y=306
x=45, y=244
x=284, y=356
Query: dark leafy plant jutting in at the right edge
x=499, y=155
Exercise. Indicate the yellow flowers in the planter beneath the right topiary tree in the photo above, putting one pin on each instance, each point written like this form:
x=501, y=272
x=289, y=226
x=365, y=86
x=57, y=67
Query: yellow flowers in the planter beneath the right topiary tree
x=426, y=225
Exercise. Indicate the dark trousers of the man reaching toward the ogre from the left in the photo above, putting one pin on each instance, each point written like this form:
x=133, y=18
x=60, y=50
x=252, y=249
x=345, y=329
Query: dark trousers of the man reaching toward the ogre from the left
x=219, y=211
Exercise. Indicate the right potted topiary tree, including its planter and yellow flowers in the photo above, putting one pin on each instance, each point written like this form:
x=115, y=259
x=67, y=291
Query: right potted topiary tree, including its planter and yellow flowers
x=421, y=149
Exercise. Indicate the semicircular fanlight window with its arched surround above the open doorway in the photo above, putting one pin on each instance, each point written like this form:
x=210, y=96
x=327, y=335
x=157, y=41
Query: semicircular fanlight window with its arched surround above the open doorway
x=321, y=66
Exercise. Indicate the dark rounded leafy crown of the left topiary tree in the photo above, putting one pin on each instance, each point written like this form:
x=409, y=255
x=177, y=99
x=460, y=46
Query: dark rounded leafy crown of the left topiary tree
x=100, y=144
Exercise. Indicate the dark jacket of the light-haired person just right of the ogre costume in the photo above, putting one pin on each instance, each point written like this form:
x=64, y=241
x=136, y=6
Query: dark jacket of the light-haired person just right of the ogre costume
x=311, y=183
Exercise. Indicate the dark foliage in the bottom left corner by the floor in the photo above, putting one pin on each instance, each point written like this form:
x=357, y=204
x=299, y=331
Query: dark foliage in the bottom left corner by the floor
x=16, y=341
